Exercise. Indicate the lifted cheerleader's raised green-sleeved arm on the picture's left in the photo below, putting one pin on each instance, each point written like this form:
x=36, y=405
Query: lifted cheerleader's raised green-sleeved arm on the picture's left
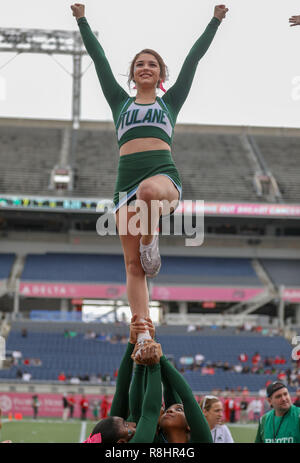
x=113, y=92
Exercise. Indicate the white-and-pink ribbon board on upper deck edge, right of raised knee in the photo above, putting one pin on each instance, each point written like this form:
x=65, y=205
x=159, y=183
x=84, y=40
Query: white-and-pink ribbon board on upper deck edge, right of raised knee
x=239, y=209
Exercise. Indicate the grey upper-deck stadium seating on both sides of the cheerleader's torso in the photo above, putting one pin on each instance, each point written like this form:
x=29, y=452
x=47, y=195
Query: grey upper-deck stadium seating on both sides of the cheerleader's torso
x=218, y=167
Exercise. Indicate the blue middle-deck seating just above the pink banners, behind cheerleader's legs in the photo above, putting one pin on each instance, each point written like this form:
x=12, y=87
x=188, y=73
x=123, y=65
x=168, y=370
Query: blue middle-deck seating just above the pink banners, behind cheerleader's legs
x=110, y=268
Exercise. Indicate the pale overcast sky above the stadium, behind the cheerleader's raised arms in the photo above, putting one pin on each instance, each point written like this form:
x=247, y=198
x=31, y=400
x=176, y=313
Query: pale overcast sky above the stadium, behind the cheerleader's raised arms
x=249, y=76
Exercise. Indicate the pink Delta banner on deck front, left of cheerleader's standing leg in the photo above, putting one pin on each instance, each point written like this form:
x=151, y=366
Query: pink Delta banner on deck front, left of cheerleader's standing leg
x=71, y=290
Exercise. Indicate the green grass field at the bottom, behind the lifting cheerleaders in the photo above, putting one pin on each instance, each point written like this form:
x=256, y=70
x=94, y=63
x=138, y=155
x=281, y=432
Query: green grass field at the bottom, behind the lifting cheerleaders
x=57, y=431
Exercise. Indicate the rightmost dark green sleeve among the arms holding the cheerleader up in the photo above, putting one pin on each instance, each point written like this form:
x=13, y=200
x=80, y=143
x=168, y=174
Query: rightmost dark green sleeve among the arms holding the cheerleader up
x=200, y=432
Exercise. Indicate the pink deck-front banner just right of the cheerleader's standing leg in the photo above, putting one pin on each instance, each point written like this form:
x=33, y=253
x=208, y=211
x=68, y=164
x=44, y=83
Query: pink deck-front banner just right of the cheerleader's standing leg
x=198, y=293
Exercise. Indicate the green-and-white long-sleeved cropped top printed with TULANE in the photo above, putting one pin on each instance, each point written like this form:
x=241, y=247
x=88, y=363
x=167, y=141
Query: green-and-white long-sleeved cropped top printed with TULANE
x=154, y=120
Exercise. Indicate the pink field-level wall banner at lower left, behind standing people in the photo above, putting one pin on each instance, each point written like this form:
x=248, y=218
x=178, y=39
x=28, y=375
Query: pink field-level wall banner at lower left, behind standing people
x=51, y=405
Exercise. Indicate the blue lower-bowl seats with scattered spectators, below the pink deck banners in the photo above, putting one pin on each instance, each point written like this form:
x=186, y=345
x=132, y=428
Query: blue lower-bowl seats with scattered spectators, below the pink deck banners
x=80, y=356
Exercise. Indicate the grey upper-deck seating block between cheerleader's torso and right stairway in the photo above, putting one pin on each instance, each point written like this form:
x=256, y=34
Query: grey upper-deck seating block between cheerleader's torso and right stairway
x=201, y=176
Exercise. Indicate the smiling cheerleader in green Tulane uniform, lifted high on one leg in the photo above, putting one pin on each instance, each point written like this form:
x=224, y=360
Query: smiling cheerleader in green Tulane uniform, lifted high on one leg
x=144, y=126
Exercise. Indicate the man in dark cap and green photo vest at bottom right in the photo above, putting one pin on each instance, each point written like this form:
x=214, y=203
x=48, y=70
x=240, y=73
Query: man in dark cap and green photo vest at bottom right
x=282, y=423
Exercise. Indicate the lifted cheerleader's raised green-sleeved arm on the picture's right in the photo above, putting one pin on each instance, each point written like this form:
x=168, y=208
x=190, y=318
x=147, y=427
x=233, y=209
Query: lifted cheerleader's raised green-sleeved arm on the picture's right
x=178, y=93
